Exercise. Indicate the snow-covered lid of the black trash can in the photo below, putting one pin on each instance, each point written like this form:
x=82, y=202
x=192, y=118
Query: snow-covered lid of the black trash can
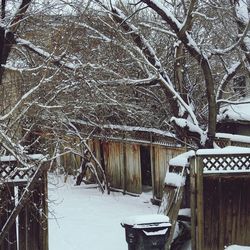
x=148, y=220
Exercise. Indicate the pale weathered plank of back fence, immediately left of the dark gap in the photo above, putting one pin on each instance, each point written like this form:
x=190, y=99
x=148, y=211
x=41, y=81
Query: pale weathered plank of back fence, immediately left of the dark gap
x=133, y=168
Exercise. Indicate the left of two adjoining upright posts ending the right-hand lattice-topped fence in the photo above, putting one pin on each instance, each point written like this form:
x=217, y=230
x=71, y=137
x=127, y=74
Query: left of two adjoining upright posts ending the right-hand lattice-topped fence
x=193, y=201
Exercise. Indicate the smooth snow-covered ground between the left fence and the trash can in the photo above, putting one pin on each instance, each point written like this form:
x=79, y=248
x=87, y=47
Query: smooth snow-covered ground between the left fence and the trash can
x=81, y=217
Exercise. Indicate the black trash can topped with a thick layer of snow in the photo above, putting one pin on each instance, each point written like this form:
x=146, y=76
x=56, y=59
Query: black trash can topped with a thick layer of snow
x=146, y=232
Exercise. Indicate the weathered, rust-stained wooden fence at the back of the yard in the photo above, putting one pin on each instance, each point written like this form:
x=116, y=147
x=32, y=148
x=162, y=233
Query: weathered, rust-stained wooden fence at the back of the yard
x=127, y=162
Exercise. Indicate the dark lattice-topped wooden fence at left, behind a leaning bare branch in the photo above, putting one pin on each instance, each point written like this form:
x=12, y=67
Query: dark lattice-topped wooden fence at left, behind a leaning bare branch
x=30, y=229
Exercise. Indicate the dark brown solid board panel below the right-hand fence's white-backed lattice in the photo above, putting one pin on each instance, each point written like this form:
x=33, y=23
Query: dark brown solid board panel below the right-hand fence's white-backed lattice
x=226, y=211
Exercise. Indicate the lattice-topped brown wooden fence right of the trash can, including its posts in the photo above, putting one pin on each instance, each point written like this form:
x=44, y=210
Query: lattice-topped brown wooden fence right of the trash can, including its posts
x=220, y=199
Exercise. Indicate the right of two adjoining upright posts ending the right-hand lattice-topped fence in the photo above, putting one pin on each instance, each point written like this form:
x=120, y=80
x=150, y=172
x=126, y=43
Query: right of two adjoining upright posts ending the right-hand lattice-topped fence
x=200, y=212
